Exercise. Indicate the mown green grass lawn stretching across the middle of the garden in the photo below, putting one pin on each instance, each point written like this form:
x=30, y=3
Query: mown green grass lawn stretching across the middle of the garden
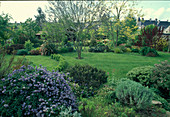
x=120, y=64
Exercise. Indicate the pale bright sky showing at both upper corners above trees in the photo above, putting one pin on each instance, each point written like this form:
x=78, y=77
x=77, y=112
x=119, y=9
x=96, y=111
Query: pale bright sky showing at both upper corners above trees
x=22, y=10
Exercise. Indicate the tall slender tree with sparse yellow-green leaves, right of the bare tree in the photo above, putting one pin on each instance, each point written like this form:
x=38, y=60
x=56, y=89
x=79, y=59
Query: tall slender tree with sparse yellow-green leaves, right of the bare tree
x=116, y=11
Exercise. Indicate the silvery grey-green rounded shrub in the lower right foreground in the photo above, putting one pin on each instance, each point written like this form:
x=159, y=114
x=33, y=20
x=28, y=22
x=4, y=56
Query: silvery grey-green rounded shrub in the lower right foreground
x=134, y=94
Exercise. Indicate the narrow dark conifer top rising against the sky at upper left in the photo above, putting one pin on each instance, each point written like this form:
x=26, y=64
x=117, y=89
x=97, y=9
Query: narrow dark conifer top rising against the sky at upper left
x=41, y=17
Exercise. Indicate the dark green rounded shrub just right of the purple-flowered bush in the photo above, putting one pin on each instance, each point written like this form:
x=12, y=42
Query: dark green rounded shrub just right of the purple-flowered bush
x=88, y=78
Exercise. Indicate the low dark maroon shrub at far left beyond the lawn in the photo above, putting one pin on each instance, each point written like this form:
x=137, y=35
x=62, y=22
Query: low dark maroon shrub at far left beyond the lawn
x=10, y=49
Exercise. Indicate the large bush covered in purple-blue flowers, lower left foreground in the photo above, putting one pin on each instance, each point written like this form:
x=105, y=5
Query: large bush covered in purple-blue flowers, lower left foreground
x=31, y=91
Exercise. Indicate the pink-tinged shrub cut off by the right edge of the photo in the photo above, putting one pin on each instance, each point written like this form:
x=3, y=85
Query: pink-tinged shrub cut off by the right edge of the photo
x=160, y=78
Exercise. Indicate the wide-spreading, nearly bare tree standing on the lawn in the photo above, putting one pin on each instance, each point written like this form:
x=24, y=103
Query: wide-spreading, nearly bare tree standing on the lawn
x=77, y=16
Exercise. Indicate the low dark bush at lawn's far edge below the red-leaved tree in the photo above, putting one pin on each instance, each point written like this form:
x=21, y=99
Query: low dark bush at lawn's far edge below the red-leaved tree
x=147, y=51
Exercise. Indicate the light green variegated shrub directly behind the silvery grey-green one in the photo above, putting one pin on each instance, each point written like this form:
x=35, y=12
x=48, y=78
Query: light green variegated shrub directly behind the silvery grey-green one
x=141, y=75
